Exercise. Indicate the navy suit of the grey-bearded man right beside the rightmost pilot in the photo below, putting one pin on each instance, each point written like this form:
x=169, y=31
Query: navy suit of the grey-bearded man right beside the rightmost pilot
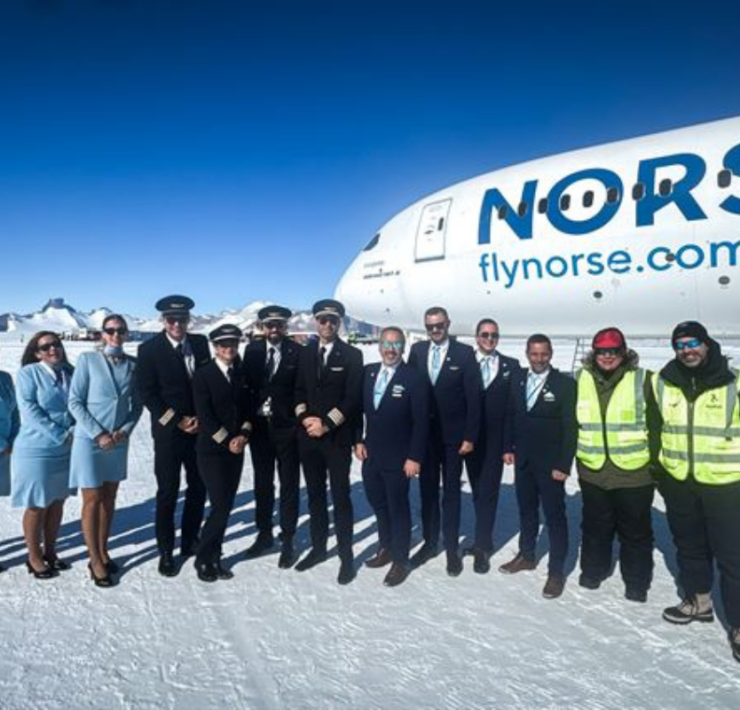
x=394, y=432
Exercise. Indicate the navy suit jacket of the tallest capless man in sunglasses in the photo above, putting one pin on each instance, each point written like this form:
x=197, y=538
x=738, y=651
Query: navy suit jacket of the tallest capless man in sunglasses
x=456, y=408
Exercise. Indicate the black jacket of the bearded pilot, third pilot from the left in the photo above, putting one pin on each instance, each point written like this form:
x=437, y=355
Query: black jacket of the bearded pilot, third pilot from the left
x=281, y=388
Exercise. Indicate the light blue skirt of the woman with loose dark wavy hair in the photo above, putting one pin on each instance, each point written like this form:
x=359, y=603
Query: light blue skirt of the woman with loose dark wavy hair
x=37, y=479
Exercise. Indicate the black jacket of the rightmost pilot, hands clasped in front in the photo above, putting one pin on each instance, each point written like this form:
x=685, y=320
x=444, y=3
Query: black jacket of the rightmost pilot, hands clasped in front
x=336, y=397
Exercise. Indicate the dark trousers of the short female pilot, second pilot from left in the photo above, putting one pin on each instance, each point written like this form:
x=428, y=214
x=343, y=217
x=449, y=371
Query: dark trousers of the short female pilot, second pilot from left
x=221, y=473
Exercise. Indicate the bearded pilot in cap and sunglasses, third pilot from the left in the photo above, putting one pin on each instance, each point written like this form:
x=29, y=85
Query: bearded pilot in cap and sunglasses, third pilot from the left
x=270, y=368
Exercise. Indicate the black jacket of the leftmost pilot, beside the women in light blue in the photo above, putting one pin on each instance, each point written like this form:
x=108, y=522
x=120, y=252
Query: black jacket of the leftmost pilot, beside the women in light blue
x=164, y=383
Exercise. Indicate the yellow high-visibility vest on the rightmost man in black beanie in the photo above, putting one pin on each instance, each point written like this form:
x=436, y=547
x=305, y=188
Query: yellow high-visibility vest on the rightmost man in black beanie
x=700, y=438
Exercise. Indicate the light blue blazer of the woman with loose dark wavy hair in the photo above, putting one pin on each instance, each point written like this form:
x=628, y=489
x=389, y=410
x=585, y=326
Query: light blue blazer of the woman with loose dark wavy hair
x=46, y=421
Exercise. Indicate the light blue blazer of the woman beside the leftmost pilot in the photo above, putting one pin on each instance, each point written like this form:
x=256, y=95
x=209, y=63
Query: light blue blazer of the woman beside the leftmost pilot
x=99, y=401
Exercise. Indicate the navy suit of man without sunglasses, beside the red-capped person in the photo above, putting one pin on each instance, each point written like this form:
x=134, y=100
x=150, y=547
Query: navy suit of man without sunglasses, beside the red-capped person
x=543, y=439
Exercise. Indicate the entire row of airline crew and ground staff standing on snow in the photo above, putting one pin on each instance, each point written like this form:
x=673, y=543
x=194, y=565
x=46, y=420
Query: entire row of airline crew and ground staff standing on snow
x=449, y=407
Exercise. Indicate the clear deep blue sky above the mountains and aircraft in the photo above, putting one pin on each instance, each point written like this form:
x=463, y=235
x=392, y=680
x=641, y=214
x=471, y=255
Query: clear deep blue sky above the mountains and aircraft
x=237, y=151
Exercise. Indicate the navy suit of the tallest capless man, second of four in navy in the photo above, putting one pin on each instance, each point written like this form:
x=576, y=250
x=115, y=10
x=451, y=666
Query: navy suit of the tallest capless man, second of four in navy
x=454, y=417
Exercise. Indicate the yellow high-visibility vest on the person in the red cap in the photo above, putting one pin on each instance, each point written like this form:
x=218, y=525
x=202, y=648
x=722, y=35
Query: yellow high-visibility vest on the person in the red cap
x=622, y=434
